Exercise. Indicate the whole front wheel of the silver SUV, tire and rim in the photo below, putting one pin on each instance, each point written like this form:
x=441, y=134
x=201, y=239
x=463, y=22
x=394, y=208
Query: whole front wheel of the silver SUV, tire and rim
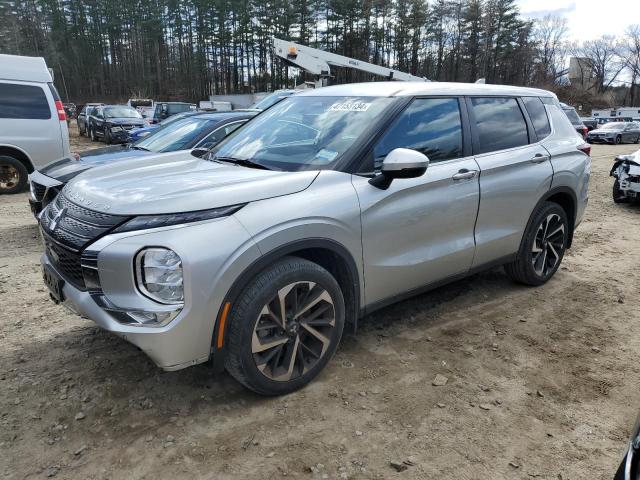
x=255, y=316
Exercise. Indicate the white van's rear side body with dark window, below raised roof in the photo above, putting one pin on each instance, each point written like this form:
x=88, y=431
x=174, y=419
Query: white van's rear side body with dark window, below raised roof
x=29, y=121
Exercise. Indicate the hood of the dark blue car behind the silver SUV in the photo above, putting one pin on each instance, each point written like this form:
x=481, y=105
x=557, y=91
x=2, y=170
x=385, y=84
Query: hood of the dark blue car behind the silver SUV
x=66, y=168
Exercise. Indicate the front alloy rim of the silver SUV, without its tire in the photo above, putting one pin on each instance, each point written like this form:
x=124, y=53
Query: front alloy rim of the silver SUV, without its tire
x=293, y=331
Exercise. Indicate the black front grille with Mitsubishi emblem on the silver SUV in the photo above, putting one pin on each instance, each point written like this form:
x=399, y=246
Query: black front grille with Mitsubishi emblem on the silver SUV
x=67, y=229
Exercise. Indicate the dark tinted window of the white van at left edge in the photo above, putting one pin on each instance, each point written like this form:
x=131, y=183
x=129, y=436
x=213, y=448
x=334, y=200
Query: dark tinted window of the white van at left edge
x=23, y=102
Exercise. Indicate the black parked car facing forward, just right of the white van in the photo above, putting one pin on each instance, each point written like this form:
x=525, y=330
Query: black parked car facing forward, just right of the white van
x=113, y=122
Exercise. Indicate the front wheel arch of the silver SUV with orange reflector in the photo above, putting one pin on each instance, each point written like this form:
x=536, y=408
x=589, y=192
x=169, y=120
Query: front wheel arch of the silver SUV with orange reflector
x=327, y=253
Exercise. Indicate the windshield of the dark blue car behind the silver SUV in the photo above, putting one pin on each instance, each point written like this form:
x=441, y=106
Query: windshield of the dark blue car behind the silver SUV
x=178, y=135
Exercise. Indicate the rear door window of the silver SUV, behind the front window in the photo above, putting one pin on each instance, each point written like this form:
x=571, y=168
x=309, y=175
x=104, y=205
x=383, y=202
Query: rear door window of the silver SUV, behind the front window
x=500, y=123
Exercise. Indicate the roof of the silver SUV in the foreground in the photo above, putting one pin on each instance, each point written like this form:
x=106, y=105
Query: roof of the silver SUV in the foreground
x=404, y=89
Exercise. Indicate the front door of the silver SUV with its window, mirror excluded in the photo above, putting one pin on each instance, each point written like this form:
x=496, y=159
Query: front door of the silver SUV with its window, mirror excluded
x=420, y=230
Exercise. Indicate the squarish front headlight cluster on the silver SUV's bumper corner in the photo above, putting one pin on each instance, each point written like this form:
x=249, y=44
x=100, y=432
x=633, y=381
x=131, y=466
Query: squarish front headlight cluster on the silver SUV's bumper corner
x=159, y=275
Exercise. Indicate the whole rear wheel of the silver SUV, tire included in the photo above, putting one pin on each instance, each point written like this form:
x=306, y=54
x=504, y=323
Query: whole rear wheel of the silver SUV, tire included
x=539, y=246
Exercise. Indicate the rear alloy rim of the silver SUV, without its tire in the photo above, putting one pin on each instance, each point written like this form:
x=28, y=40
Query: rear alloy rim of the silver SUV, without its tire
x=548, y=245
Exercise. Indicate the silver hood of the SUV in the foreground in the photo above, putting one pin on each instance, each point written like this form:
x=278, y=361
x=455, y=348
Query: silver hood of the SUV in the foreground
x=178, y=182
